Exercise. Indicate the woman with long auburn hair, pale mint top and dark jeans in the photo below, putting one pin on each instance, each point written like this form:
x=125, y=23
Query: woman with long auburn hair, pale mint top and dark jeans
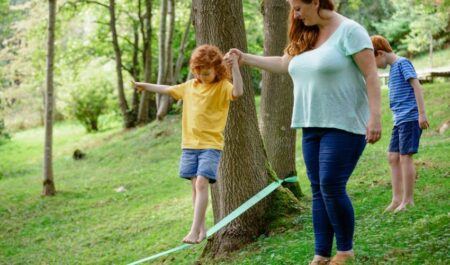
x=337, y=104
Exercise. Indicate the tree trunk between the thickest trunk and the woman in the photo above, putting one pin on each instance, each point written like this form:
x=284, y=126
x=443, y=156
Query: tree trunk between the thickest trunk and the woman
x=276, y=111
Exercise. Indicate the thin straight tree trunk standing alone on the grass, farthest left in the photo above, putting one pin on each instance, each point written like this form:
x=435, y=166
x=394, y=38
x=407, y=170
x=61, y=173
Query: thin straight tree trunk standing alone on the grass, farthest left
x=48, y=183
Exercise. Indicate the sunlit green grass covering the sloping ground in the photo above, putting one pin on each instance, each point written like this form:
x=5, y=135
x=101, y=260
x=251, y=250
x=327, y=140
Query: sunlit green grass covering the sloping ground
x=88, y=222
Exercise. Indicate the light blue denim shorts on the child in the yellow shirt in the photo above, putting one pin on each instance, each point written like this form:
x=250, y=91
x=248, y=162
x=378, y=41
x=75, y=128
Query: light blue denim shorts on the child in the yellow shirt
x=200, y=162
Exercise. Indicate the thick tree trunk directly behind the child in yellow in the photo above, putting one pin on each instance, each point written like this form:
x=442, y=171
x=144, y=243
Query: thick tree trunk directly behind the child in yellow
x=244, y=168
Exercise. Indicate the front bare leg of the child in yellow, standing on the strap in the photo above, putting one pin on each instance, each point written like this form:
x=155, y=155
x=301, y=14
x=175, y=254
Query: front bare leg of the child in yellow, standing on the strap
x=198, y=231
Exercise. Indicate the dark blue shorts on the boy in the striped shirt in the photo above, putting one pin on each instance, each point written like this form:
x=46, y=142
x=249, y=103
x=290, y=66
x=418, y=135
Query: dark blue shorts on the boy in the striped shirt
x=405, y=138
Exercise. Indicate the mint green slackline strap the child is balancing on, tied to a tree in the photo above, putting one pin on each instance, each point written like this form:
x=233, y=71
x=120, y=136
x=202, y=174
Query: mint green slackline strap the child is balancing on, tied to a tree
x=233, y=215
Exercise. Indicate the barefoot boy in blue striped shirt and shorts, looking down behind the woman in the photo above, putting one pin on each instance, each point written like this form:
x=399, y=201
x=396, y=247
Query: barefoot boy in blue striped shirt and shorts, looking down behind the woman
x=407, y=105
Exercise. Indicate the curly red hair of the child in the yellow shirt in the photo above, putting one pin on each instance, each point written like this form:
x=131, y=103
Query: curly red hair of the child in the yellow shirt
x=209, y=56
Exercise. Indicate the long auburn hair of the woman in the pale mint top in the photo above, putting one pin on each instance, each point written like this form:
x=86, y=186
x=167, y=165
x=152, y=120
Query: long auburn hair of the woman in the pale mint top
x=302, y=38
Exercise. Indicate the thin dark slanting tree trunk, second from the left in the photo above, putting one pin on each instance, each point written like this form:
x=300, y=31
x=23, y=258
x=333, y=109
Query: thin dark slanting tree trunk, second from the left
x=129, y=119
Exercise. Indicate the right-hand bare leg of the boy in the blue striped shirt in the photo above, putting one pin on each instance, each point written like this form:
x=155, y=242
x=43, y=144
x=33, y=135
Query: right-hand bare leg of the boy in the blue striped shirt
x=409, y=175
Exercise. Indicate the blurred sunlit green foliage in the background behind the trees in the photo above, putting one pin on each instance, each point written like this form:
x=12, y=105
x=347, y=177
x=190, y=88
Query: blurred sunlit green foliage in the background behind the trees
x=83, y=43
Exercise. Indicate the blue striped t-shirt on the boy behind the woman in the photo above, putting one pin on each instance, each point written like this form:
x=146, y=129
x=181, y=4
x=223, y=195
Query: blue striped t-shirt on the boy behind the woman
x=401, y=93
